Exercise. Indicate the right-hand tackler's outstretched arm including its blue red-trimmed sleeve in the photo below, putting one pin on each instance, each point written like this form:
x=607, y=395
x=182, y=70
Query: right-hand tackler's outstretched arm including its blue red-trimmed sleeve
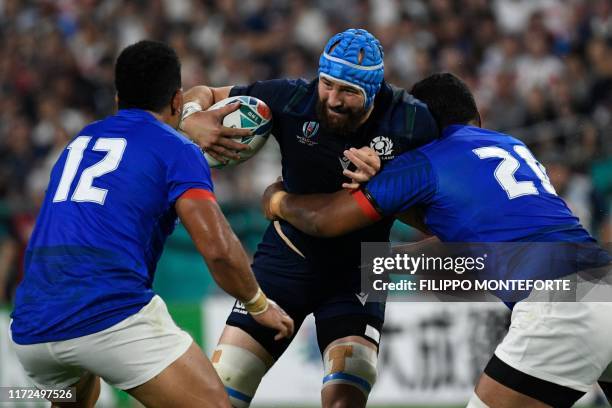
x=401, y=189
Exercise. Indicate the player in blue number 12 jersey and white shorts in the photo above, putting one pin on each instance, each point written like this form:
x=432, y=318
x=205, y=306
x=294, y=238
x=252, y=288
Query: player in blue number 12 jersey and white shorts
x=86, y=308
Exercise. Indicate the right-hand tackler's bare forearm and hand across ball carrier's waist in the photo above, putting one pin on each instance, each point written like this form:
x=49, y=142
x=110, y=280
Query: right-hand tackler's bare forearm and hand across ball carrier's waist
x=323, y=215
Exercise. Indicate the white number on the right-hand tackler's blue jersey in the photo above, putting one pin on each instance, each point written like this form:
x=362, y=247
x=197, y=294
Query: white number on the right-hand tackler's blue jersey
x=504, y=172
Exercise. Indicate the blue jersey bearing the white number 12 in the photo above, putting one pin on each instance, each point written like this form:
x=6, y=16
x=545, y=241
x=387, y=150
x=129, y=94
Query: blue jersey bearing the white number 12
x=108, y=210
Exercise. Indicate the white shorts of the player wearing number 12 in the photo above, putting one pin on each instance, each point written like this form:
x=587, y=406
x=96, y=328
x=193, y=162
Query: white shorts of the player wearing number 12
x=125, y=355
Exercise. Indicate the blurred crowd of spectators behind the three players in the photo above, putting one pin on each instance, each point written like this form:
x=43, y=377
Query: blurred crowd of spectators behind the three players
x=541, y=70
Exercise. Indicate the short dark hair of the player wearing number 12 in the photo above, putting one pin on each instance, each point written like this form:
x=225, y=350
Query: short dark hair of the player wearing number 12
x=147, y=75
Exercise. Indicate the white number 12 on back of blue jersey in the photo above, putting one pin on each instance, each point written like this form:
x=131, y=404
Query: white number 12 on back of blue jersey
x=85, y=191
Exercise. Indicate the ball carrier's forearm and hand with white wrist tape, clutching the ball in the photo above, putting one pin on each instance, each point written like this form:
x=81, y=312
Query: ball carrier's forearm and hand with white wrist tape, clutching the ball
x=206, y=127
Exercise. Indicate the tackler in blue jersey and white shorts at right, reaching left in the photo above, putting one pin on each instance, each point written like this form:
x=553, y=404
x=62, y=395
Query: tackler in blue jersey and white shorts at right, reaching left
x=477, y=185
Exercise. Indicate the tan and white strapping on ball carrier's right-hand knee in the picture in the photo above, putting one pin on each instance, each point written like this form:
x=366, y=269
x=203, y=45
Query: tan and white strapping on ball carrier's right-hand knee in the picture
x=350, y=363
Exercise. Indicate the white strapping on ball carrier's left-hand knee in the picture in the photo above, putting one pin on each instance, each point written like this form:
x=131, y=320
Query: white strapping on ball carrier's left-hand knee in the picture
x=240, y=371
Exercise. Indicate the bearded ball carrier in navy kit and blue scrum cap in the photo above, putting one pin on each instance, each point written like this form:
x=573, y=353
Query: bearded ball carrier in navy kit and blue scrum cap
x=348, y=106
